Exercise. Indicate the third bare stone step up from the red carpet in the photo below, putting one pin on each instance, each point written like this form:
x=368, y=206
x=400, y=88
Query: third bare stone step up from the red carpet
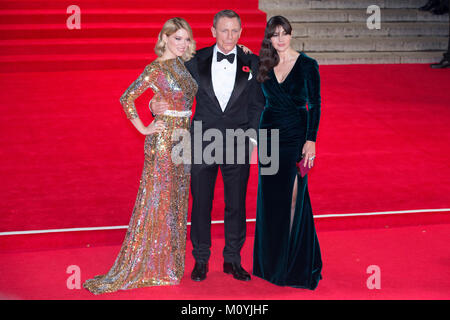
x=359, y=29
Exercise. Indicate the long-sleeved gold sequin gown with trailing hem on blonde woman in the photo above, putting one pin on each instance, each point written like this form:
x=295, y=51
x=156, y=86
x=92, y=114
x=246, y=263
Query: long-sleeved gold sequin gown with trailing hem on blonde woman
x=153, y=250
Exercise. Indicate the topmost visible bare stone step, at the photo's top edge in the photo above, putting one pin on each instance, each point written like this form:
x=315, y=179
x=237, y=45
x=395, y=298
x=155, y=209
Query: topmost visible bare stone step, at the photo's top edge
x=339, y=4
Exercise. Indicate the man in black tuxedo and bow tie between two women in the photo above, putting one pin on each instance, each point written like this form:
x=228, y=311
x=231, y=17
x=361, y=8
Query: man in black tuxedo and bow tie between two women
x=228, y=97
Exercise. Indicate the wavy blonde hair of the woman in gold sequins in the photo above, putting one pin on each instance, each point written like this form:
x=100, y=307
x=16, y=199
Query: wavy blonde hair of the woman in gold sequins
x=170, y=27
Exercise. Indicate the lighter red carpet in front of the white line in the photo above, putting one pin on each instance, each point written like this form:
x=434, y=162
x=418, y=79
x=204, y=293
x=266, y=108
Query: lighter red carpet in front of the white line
x=413, y=264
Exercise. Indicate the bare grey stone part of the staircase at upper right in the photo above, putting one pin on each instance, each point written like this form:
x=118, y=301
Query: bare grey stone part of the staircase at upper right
x=336, y=32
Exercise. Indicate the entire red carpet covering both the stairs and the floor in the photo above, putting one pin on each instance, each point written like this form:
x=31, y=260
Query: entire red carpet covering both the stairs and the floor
x=69, y=158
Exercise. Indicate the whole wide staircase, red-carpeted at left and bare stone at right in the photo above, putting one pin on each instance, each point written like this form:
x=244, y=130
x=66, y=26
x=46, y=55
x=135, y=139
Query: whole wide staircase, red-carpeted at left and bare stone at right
x=121, y=35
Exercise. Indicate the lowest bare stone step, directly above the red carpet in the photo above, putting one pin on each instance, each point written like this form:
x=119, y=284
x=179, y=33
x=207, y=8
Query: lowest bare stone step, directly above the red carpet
x=330, y=58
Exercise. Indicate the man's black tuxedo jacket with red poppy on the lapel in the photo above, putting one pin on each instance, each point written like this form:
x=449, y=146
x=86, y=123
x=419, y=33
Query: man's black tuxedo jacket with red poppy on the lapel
x=246, y=102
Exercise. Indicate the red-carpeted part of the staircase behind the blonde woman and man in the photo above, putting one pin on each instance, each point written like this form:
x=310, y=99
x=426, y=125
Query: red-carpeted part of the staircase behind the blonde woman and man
x=113, y=34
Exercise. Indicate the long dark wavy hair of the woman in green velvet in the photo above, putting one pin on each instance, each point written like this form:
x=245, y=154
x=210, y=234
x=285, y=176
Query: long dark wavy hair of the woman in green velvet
x=268, y=56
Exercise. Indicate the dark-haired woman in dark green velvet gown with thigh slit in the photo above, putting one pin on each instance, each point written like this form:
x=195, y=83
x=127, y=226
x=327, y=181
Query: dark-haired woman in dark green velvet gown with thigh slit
x=286, y=250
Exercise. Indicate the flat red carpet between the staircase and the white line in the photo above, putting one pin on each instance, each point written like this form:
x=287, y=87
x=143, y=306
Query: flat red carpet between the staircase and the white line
x=70, y=158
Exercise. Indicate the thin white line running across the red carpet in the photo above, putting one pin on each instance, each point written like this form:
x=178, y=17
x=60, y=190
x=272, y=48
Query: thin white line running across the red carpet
x=9, y=233
